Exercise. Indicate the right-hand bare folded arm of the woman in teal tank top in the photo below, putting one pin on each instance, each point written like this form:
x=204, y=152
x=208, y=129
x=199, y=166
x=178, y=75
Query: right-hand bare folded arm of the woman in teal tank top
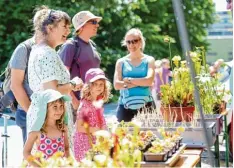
x=146, y=81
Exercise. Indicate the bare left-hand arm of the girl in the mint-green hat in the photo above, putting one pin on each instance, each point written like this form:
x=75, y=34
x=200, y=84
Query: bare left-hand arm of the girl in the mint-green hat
x=32, y=138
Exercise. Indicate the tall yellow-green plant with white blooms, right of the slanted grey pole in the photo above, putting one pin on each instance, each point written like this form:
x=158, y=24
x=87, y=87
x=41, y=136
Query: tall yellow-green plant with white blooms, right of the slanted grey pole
x=212, y=92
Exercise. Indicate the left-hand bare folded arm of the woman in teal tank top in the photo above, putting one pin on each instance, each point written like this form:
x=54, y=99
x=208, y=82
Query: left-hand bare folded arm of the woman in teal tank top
x=118, y=79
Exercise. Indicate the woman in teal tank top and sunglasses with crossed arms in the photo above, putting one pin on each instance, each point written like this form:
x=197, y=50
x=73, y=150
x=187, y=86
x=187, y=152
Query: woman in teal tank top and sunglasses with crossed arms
x=134, y=75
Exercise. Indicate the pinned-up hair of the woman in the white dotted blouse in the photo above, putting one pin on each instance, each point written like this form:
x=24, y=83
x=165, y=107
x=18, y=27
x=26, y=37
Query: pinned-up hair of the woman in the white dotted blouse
x=45, y=16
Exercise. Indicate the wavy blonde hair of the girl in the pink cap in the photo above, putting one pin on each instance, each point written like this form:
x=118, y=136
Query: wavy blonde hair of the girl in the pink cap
x=86, y=91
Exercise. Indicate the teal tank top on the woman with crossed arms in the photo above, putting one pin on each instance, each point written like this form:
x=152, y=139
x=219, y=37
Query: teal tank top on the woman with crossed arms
x=140, y=71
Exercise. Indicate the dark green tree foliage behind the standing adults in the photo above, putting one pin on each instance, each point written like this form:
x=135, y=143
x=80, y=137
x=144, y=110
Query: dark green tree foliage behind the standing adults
x=154, y=17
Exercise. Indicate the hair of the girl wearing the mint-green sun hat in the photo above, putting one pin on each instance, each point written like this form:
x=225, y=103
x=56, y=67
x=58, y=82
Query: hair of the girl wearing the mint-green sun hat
x=60, y=124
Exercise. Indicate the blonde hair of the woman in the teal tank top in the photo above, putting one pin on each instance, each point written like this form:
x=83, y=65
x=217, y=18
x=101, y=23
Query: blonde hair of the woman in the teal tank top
x=135, y=32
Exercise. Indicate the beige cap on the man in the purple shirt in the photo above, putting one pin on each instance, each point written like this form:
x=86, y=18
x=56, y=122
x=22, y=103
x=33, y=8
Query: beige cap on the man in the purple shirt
x=82, y=17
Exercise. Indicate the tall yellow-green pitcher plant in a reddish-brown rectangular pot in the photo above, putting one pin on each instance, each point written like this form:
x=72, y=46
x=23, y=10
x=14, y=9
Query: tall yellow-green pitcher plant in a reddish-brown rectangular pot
x=177, y=103
